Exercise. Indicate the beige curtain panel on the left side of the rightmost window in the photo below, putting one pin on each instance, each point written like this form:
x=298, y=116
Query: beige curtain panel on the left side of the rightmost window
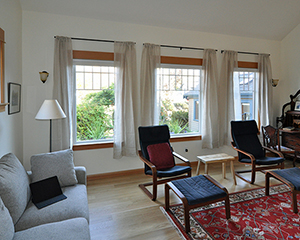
x=227, y=101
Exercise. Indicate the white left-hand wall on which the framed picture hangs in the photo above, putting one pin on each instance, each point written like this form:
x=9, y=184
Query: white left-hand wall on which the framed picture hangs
x=11, y=130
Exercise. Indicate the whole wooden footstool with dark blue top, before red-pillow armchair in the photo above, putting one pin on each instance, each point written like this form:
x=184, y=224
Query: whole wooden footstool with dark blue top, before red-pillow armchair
x=196, y=192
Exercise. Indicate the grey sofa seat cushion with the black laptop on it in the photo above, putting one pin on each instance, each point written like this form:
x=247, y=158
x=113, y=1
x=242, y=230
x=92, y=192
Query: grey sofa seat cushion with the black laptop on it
x=76, y=205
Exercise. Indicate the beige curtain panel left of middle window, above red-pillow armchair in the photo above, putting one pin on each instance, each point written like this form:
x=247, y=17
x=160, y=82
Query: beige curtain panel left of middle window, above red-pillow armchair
x=150, y=64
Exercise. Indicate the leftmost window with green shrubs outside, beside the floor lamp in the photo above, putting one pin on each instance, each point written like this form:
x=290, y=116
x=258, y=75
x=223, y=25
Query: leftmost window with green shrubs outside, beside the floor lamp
x=94, y=100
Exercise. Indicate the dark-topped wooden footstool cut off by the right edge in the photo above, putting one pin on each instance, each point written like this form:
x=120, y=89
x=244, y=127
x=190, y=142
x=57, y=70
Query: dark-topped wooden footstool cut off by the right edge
x=290, y=177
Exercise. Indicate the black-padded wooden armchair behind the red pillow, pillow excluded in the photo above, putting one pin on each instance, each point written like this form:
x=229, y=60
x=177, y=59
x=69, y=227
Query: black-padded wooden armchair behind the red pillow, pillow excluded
x=152, y=135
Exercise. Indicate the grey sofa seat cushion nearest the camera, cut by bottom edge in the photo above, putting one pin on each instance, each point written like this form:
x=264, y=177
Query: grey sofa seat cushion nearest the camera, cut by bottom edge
x=76, y=228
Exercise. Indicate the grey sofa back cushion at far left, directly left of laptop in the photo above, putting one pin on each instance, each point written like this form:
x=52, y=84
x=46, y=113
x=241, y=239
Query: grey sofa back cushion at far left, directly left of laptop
x=14, y=185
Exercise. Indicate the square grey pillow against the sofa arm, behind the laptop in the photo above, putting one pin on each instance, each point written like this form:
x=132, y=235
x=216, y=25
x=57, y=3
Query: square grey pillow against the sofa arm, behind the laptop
x=58, y=164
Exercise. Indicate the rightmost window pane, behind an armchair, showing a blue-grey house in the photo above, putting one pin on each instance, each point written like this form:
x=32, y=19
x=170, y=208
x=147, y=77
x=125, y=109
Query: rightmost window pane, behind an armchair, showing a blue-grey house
x=245, y=85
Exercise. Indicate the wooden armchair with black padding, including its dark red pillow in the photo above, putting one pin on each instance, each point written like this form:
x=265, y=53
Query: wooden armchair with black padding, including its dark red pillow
x=158, y=157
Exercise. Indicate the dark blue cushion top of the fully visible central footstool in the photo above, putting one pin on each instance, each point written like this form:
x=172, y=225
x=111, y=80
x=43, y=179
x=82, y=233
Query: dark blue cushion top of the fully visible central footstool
x=199, y=189
